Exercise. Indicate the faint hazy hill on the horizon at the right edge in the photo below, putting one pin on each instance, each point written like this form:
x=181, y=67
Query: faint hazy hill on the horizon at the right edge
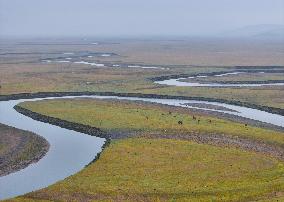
x=257, y=31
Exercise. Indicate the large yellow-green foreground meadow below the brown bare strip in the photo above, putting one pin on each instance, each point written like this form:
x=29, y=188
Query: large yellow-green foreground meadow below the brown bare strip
x=141, y=169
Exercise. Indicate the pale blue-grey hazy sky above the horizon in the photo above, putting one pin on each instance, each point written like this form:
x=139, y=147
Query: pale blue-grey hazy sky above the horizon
x=134, y=17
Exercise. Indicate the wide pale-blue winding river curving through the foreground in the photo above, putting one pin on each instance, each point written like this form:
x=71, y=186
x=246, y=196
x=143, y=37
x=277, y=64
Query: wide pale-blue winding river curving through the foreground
x=70, y=151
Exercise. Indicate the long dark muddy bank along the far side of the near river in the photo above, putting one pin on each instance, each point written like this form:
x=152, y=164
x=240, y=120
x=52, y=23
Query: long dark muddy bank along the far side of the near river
x=273, y=110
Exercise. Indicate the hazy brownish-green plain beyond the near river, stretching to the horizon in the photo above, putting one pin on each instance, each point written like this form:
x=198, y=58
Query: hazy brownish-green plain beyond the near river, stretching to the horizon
x=22, y=70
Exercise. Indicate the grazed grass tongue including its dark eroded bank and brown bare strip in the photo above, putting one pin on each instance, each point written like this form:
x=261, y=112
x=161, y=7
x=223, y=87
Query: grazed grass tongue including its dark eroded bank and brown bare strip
x=174, y=123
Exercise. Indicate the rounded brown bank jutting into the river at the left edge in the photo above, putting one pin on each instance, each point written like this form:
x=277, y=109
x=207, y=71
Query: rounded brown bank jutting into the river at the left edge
x=19, y=148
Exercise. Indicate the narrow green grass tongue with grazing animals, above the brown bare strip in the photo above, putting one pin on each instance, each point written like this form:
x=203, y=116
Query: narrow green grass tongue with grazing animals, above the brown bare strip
x=132, y=117
